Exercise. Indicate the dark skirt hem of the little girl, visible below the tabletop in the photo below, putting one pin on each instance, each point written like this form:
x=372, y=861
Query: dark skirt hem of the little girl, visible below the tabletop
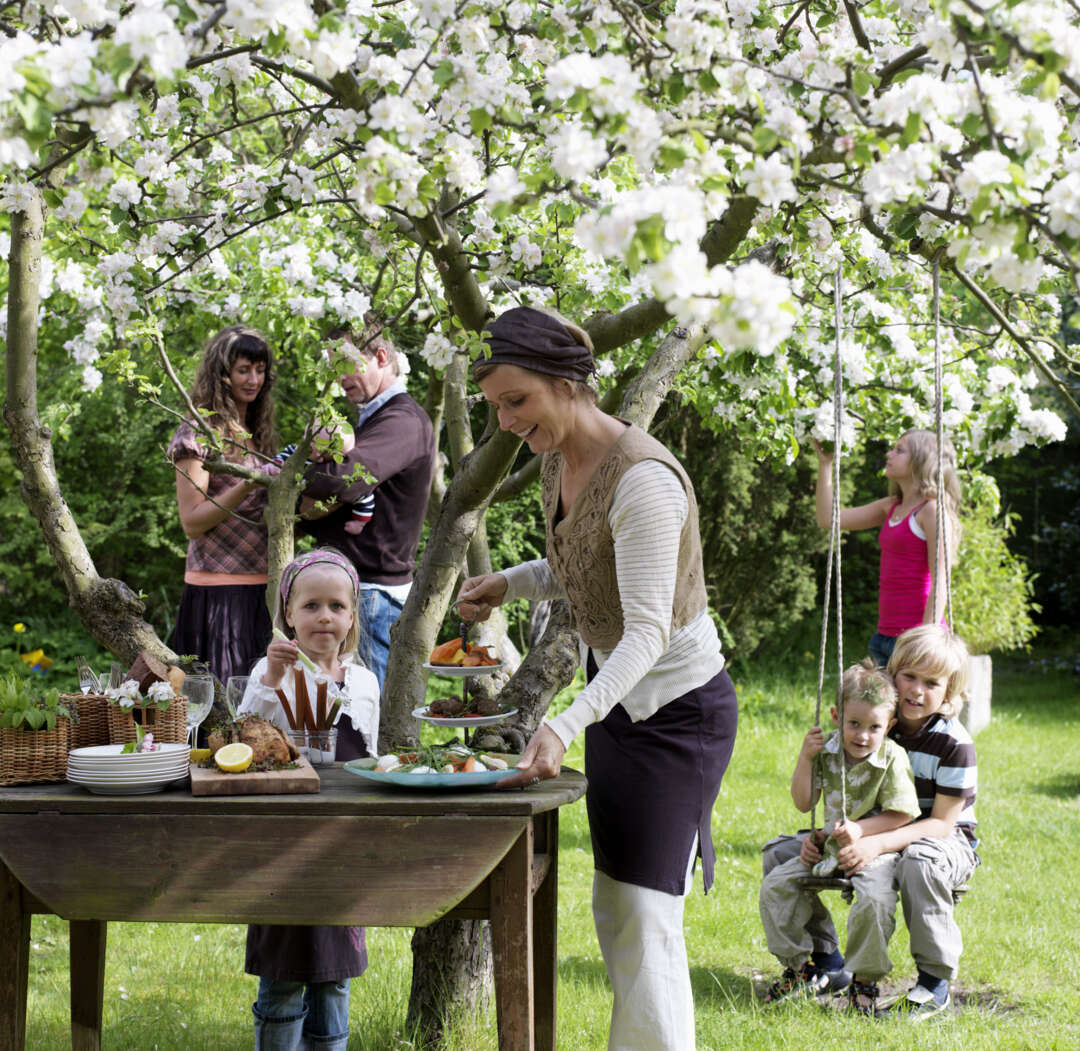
x=306, y=954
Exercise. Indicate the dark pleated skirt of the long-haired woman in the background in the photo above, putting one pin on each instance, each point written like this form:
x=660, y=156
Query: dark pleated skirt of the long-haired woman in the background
x=228, y=627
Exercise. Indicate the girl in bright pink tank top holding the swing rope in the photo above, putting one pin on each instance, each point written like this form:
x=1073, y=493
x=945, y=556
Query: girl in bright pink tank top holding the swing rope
x=913, y=572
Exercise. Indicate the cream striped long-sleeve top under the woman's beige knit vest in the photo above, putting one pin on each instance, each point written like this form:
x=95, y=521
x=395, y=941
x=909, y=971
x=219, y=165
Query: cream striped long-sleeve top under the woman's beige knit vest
x=652, y=665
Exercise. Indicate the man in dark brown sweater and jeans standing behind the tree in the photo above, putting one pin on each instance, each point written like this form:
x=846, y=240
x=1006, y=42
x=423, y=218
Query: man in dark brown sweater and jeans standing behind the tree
x=394, y=459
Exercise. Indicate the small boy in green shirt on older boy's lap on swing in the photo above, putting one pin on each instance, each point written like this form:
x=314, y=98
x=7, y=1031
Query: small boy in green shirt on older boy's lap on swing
x=881, y=797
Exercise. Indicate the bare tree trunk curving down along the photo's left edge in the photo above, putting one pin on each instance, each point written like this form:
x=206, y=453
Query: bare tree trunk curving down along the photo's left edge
x=110, y=610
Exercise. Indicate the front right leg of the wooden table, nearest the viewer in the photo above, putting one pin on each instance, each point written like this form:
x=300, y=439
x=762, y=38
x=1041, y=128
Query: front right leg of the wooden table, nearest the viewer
x=511, y=883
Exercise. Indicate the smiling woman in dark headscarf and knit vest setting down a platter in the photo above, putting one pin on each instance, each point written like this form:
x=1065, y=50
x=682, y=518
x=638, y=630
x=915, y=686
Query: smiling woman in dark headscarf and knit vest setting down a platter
x=659, y=711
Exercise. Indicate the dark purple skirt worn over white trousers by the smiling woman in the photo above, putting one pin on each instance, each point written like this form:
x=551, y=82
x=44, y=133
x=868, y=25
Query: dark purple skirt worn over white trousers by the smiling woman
x=653, y=786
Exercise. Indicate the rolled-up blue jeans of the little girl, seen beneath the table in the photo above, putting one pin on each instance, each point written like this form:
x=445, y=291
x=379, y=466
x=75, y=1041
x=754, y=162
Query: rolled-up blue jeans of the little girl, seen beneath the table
x=302, y=1015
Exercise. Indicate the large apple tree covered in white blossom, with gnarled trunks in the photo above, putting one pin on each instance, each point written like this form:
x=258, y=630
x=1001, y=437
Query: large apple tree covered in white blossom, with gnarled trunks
x=687, y=178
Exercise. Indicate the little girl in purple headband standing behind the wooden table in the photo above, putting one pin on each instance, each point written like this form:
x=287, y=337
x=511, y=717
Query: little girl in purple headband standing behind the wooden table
x=305, y=972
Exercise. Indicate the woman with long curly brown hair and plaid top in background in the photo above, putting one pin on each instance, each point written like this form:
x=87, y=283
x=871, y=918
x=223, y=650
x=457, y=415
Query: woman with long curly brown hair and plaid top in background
x=223, y=617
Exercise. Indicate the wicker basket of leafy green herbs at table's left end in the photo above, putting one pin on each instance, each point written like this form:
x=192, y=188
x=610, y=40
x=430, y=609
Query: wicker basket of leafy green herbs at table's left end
x=35, y=733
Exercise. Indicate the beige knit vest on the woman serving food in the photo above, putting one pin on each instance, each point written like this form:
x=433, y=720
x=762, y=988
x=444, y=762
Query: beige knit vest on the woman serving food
x=582, y=549
